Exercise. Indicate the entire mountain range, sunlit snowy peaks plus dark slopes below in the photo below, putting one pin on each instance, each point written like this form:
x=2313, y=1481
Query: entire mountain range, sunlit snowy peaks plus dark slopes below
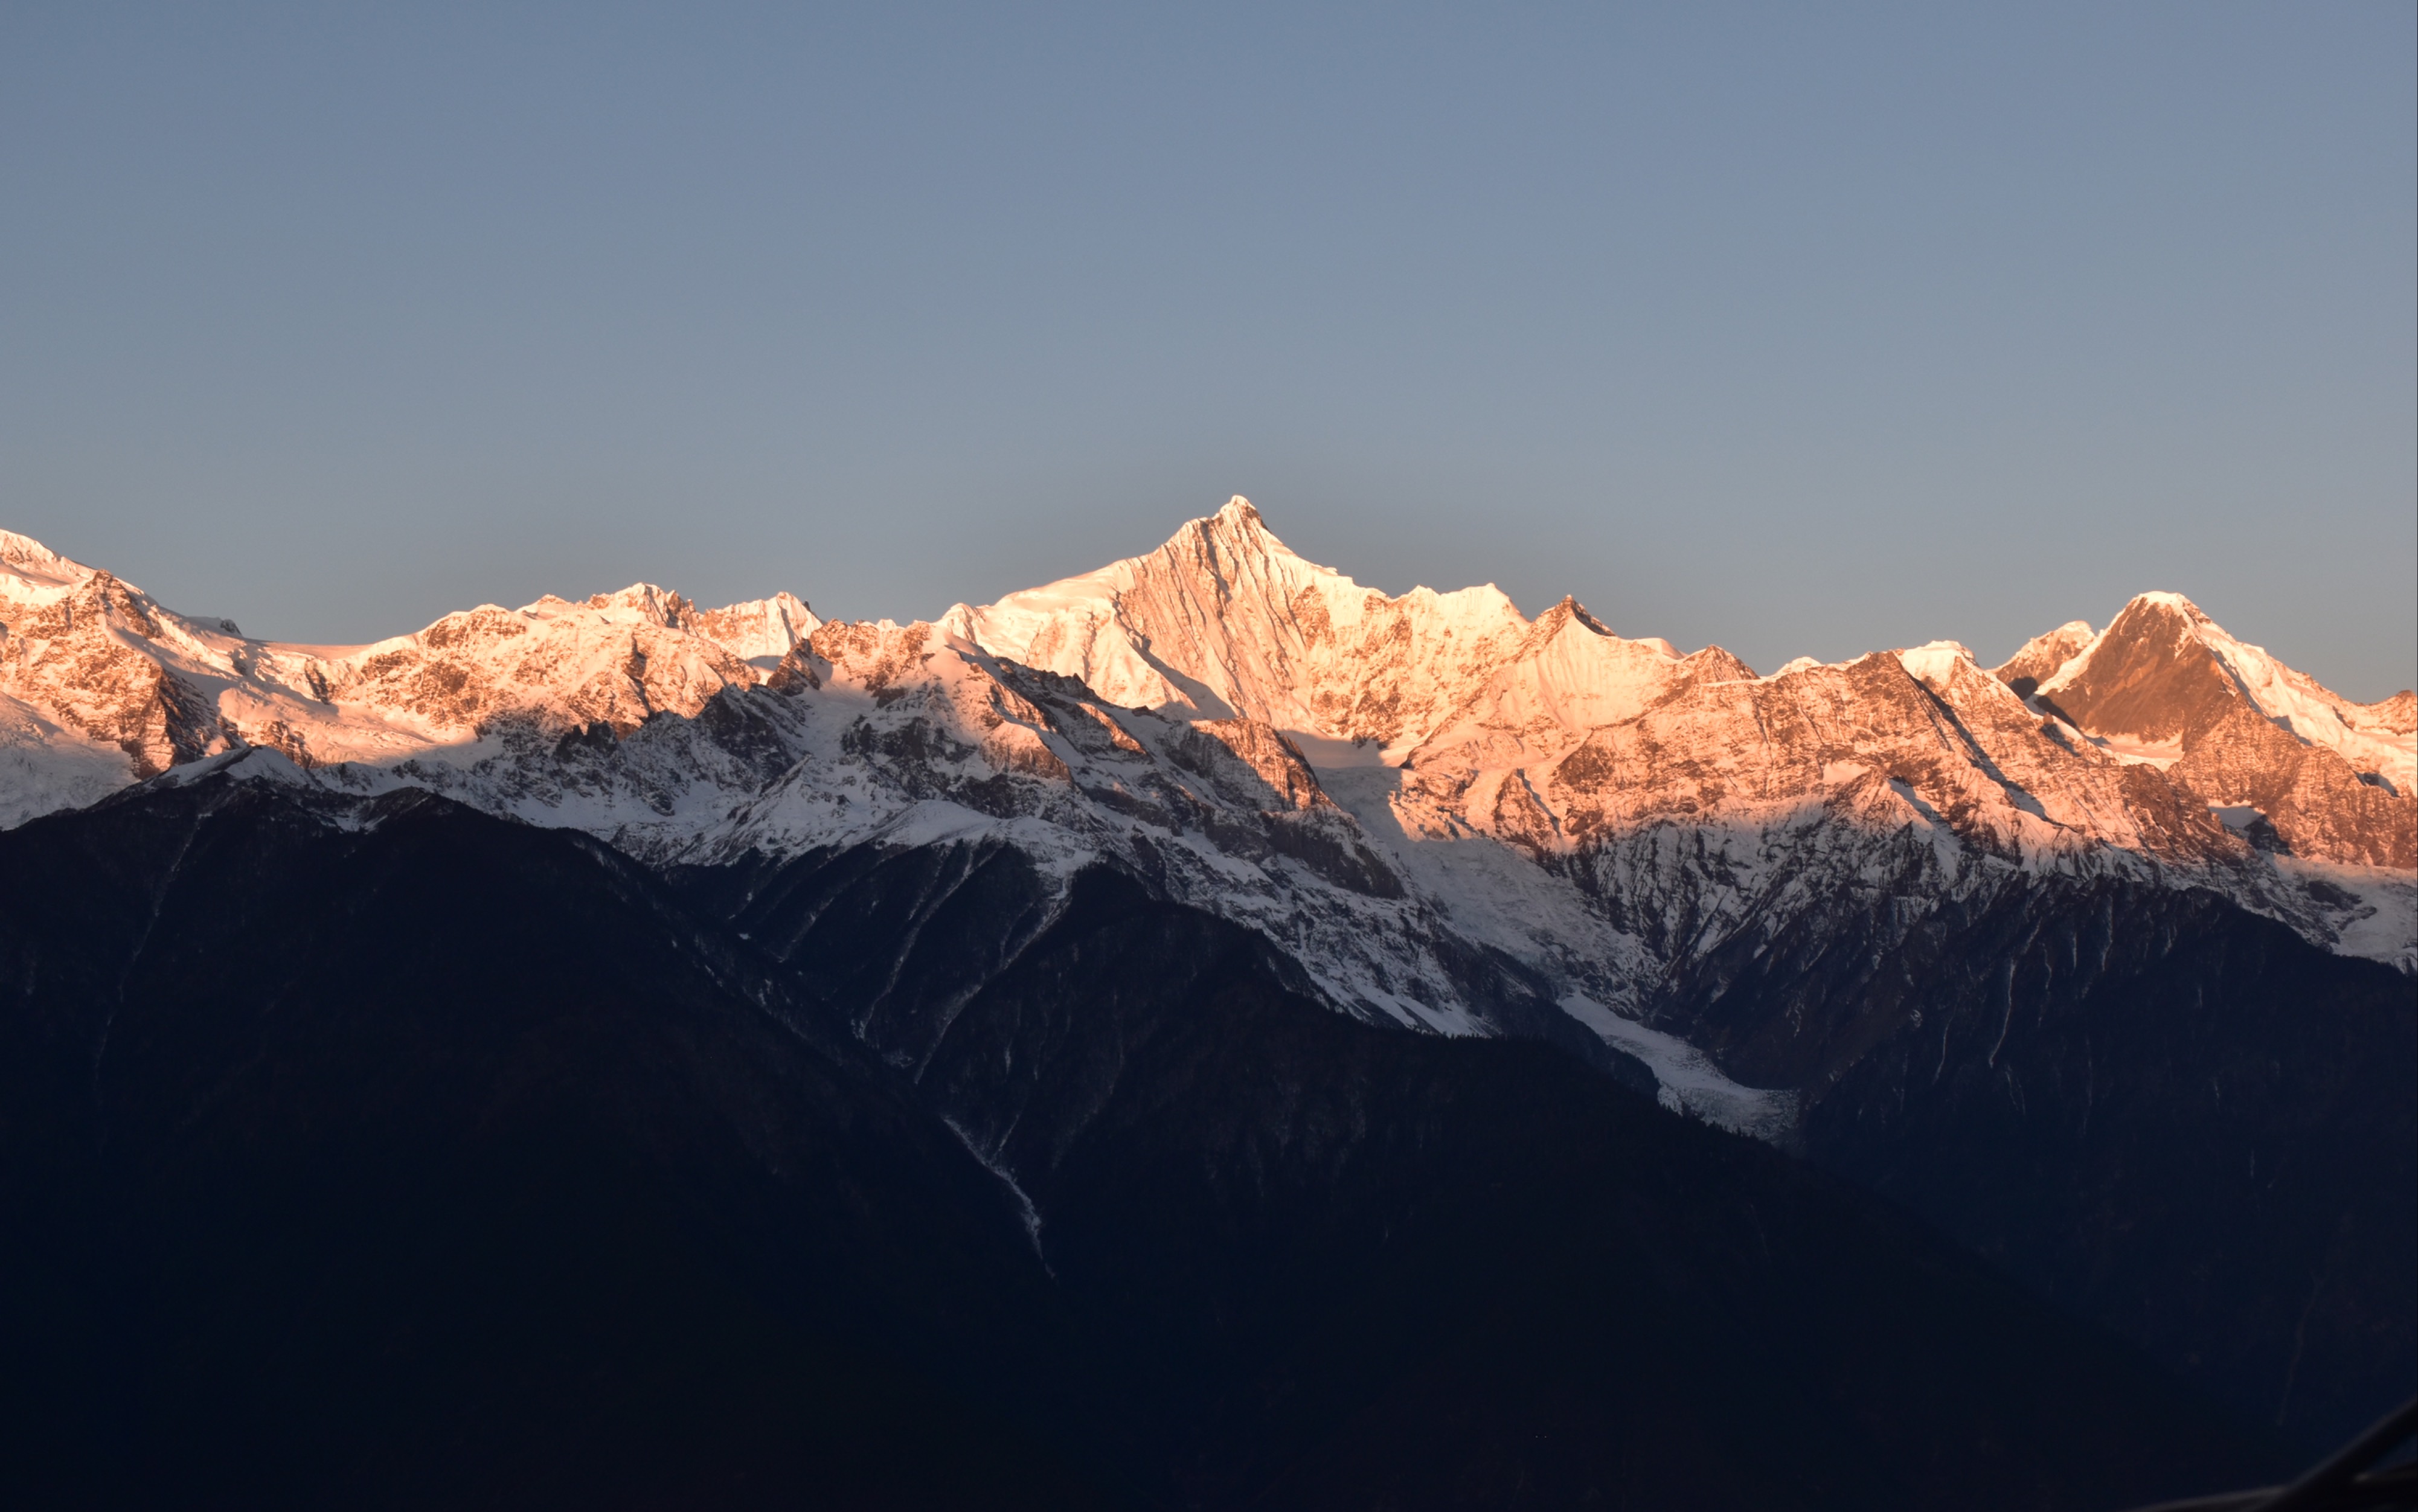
x=1196, y=1034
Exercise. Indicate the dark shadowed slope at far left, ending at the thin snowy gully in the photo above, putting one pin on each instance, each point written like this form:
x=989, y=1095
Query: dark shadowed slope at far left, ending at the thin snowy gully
x=393, y=1155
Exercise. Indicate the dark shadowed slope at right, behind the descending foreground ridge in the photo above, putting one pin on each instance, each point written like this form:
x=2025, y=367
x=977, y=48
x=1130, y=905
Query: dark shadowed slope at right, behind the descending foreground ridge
x=2158, y=1109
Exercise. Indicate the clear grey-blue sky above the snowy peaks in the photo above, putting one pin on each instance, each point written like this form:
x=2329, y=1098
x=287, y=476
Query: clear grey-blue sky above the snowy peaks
x=1803, y=330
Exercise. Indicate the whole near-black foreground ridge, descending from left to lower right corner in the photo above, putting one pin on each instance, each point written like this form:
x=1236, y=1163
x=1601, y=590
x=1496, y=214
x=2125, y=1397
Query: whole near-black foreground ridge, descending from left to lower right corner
x=393, y=1155
